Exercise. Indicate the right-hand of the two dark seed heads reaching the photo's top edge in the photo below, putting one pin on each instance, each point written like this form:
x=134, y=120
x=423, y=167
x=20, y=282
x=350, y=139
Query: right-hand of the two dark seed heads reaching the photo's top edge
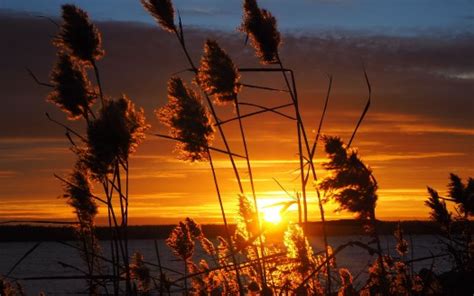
x=261, y=27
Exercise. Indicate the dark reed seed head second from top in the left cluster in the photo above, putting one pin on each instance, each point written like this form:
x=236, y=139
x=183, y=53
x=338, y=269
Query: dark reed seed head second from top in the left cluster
x=72, y=91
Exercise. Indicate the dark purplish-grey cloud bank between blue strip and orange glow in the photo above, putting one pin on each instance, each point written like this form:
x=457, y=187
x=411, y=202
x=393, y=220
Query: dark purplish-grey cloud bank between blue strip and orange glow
x=407, y=73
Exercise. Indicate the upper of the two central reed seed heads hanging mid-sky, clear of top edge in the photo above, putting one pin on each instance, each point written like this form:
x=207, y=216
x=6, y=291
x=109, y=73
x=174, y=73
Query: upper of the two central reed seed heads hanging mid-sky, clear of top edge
x=217, y=74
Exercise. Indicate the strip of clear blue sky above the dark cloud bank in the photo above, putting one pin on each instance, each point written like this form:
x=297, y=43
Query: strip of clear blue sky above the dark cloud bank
x=400, y=17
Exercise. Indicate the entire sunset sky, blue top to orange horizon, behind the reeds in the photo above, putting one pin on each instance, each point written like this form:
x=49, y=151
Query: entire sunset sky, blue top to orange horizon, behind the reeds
x=419, y=56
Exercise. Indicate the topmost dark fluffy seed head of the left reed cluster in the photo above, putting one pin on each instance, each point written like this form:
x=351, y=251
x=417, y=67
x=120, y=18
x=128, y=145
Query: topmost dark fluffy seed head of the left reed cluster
x=78, y=36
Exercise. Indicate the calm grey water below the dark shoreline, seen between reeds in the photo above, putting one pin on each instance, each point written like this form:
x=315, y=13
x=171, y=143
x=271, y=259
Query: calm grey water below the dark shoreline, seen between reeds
x=45, y=260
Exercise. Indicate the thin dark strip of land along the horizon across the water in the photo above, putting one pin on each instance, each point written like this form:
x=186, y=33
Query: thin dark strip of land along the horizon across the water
x=30, y=232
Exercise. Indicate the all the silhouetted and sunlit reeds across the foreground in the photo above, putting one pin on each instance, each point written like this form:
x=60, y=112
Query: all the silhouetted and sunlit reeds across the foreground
x=241, y=261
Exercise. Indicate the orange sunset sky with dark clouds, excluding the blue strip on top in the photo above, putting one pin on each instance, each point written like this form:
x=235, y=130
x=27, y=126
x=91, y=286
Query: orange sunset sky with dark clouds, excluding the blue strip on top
x=420, y=127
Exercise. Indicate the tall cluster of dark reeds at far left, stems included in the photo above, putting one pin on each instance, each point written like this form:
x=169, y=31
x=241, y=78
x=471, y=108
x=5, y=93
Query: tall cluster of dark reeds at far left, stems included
x=113, y=131
